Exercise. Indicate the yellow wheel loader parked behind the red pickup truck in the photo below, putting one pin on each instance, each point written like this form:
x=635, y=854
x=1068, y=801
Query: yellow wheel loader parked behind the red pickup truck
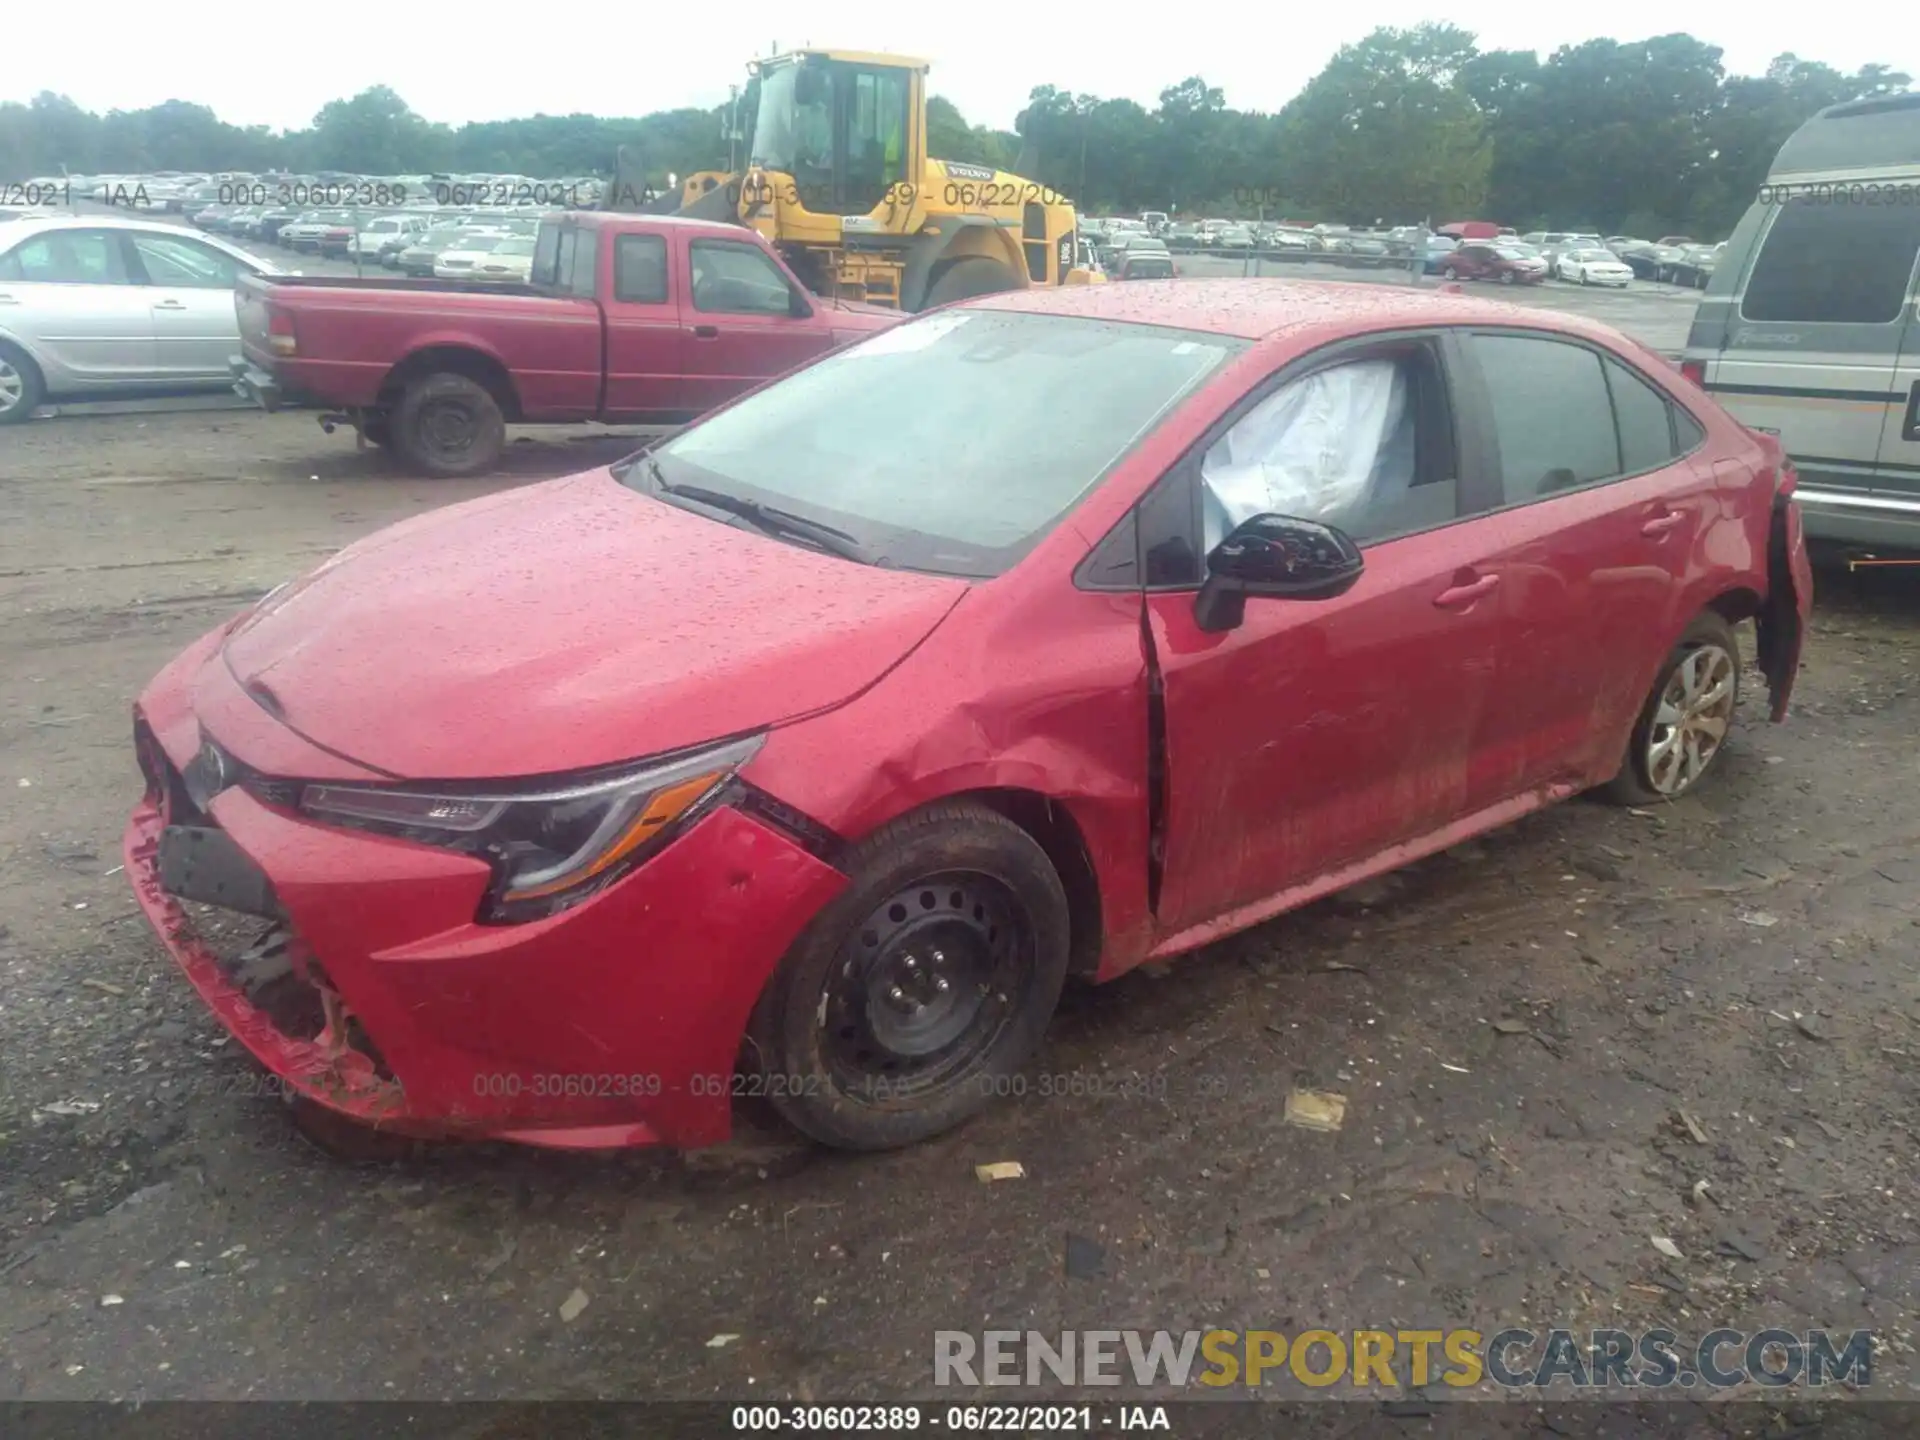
x=838, y=178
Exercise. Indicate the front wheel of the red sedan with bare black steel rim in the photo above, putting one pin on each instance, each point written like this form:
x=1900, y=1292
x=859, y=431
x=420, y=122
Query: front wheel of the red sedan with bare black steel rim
x=919, y=994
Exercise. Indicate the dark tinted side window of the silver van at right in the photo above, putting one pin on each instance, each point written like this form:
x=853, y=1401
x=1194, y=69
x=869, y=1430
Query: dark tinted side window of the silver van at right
x=1835, y=262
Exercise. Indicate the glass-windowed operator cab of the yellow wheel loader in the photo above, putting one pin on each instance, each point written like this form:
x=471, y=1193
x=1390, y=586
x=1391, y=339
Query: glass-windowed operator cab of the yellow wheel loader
x=842, y=126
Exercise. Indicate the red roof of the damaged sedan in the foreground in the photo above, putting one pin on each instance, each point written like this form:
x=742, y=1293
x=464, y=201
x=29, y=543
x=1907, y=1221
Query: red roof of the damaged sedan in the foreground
x=1274, y=308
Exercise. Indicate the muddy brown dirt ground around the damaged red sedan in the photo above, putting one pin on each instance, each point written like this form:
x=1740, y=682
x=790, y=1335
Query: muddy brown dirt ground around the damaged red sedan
x=1516, y=1026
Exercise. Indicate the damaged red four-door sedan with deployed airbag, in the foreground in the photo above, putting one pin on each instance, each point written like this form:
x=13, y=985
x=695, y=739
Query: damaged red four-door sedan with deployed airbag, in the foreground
x=813, y=750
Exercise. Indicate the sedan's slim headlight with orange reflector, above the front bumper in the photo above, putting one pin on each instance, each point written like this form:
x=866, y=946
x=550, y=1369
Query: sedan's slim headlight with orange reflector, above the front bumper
x=550, y=846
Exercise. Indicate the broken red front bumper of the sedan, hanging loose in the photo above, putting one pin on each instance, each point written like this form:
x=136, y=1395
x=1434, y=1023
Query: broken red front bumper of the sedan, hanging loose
x=617, y=1022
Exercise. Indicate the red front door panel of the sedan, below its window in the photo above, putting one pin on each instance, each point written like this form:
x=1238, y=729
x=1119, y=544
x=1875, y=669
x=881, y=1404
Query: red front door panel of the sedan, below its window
x=1322, y=731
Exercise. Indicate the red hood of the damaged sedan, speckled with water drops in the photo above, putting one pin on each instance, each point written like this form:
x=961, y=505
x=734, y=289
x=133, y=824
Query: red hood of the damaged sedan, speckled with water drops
x=564, y=627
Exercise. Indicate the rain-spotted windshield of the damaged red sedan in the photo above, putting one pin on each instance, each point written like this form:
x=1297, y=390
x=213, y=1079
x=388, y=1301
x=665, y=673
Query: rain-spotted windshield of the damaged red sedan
x=953, y=443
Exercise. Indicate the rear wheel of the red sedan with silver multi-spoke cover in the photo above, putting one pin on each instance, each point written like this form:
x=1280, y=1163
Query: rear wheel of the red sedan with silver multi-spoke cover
x=1687, y=717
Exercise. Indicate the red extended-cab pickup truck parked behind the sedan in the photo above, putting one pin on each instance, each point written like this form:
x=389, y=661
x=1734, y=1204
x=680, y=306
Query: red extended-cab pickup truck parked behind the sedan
x=633, y=320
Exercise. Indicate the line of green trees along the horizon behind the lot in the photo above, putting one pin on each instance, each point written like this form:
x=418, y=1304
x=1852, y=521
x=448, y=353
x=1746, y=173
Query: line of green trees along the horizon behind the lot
x=1637, y=137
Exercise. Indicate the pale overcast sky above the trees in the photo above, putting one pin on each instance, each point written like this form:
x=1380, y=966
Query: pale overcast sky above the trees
x=277, y=66
